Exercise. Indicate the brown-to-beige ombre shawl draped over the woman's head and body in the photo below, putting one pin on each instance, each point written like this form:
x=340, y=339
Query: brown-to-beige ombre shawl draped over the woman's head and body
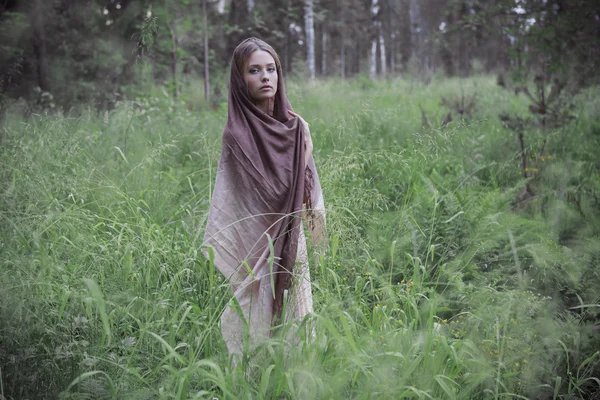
x=259, y=189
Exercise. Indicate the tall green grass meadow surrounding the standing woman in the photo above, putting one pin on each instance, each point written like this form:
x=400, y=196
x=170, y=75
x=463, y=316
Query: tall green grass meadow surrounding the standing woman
x=438, y=282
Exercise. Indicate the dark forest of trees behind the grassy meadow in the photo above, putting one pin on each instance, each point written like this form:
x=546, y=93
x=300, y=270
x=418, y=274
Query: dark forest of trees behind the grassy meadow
x=103, y=51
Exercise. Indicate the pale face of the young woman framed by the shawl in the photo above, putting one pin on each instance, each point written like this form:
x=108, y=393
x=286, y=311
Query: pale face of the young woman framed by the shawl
x=260, y=76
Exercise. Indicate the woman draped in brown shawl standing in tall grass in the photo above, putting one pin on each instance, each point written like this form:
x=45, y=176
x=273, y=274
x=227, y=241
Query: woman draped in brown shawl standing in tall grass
x=266, y=182
